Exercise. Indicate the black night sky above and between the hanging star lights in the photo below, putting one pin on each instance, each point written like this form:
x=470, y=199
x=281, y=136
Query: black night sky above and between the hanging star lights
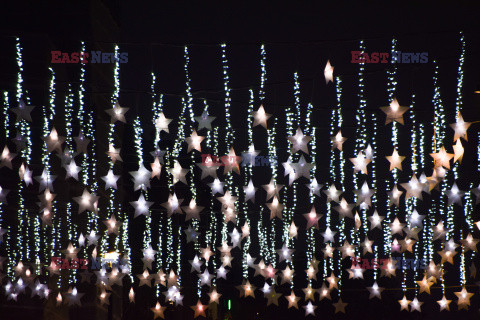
x=298, y=38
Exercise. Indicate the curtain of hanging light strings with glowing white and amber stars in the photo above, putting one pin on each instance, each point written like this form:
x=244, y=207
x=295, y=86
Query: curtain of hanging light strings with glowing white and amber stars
x=392, y=214
